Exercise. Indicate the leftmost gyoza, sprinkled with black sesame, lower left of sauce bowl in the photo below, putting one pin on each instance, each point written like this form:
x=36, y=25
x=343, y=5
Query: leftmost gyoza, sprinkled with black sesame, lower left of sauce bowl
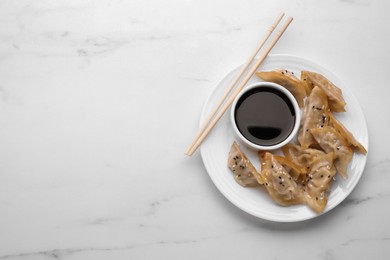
x=244, y=172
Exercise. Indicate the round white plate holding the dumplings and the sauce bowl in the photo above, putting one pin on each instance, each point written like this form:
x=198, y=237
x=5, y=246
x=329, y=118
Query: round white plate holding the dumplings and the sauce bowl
x=256, y=201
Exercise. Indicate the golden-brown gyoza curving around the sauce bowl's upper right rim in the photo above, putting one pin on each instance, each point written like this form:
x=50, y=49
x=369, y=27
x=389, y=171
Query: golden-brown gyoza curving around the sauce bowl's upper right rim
x=286, y=79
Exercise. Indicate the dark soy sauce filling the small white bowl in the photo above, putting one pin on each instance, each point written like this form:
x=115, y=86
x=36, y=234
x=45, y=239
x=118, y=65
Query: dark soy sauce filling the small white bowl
x=265, y=116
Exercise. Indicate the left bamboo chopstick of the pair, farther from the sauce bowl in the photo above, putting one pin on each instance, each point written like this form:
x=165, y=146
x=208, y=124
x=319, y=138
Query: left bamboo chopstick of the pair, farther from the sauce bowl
x=235, y=80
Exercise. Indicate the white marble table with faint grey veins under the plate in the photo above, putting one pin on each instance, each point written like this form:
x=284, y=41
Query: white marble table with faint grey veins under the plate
x=99, y=99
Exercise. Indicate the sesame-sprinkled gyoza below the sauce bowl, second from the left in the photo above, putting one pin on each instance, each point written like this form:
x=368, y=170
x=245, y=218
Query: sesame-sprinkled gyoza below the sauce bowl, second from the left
x=278, y=182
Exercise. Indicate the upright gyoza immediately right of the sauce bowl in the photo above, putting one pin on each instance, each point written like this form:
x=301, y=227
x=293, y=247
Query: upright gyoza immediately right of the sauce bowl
x=315, y=115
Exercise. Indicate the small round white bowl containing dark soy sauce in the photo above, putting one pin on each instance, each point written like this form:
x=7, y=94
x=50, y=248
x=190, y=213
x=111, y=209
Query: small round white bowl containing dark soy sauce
x=293, y=108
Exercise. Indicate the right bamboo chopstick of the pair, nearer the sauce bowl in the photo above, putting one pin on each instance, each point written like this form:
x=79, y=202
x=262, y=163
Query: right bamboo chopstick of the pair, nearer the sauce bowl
x=211, y=125
